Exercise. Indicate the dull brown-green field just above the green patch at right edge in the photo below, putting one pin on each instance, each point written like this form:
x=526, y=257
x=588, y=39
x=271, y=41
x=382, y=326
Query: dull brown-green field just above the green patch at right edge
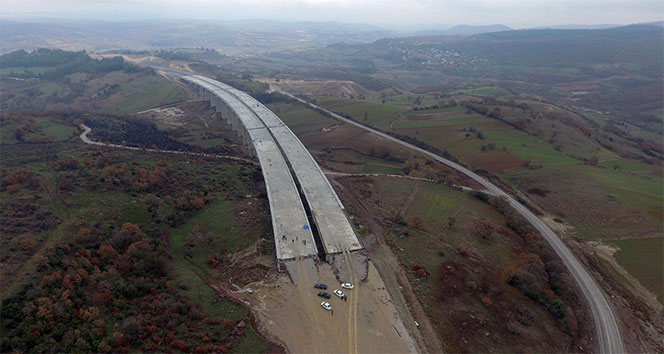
x=600, y=203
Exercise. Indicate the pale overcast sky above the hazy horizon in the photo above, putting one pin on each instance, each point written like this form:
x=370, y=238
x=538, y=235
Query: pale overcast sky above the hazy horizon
x=387, y=13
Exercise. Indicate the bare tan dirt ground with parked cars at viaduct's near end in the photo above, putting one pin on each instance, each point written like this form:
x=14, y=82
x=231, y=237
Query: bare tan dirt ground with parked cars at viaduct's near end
x=288, y=310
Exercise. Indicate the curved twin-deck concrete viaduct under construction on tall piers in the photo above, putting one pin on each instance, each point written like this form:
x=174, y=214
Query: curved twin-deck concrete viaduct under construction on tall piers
x=307, y=216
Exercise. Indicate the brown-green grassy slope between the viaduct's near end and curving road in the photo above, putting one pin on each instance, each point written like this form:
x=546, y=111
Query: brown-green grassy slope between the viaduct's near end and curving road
x=439, y=244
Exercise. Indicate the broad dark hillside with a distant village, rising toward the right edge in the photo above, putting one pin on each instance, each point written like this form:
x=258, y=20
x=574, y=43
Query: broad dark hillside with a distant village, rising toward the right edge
x=616, y=70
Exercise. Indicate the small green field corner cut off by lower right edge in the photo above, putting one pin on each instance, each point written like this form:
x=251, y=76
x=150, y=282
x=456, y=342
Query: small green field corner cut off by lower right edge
x=643, y=259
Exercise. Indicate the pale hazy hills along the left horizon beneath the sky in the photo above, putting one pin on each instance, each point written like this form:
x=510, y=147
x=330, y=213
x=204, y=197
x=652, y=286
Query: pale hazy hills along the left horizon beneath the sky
x=146, y=35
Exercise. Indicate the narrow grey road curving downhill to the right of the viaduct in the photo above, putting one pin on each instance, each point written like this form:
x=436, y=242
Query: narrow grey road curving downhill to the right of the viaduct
x=605, y=322
